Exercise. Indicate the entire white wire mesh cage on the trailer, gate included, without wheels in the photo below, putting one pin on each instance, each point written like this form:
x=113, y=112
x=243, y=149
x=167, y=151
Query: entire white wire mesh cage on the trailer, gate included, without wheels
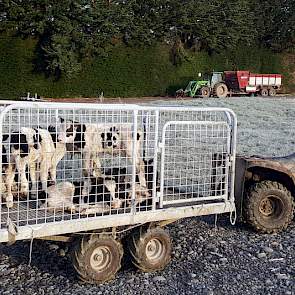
x=62, y=163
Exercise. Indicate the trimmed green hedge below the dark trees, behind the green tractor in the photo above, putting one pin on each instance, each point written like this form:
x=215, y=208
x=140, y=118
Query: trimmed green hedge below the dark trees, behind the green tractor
x=125, y=72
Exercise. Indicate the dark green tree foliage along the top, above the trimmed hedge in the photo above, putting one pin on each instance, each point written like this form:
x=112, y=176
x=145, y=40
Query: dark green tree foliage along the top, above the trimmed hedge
x=72, y=31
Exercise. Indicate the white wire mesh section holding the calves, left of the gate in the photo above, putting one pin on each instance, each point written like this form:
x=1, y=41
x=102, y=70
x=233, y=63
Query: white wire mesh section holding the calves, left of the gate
x=71, y=163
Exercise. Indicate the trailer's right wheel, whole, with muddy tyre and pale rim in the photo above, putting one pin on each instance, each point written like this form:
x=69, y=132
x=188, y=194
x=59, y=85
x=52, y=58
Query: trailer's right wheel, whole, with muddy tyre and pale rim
x=150, y=249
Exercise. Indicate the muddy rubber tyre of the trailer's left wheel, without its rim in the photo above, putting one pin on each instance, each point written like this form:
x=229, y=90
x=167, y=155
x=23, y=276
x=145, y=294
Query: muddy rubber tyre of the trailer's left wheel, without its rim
x=82, y=253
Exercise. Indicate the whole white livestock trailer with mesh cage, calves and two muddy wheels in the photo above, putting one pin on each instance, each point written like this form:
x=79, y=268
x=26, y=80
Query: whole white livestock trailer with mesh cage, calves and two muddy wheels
x=89, y=172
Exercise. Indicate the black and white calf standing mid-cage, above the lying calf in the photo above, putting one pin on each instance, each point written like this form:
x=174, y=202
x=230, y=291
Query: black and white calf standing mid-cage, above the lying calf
x=94, y=140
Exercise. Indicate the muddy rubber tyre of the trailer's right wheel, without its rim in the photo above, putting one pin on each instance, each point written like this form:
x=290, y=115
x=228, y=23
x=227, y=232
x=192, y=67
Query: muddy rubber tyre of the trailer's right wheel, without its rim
x=137, y=246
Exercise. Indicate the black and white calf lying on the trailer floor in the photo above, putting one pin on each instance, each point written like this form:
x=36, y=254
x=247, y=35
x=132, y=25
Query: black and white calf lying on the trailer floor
x=113, y=191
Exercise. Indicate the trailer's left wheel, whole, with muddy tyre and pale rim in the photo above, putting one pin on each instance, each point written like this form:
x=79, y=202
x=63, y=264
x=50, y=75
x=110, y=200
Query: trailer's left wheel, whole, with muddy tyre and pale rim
x=97, y=258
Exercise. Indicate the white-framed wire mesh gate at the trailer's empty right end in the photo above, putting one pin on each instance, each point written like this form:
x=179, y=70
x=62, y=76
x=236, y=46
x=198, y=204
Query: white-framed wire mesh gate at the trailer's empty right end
x=195, y=161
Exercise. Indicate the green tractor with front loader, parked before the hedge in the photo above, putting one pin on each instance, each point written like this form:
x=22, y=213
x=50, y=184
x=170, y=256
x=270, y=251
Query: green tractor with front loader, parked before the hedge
x=202, y=87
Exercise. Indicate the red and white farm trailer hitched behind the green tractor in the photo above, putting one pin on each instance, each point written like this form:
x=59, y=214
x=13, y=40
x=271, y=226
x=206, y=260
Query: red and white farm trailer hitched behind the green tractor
x=244, y=82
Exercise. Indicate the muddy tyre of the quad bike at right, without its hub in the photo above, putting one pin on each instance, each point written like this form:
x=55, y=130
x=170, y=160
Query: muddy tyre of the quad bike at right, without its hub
x=271, y=224
